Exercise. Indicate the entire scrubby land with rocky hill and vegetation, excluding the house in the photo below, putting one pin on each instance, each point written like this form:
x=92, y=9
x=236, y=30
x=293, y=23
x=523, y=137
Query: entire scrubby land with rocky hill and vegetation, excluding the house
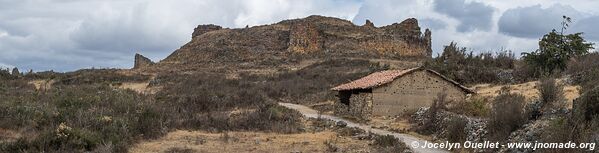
x=221, y=92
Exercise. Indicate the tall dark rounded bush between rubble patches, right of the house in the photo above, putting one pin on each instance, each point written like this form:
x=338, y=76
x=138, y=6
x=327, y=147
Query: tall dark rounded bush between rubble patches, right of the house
x=507, y=115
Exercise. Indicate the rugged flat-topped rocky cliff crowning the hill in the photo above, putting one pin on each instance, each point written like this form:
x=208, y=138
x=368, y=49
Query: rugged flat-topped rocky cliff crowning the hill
x=314, y=36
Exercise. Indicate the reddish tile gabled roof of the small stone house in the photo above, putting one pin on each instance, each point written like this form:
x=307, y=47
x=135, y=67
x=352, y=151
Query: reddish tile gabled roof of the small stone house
x=383, y=77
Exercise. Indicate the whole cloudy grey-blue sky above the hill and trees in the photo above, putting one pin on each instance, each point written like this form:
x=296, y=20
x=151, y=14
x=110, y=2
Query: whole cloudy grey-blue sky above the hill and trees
x=66, y=35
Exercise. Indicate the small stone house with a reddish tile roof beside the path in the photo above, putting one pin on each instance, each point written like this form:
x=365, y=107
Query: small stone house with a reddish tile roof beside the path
x=392, y=92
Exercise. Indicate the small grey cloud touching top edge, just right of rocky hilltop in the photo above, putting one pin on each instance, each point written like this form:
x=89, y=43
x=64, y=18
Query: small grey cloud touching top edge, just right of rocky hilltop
x=472, y=15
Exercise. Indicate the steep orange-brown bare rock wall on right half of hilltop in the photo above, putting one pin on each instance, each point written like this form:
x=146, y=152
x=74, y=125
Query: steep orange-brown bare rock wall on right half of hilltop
x=398, y=40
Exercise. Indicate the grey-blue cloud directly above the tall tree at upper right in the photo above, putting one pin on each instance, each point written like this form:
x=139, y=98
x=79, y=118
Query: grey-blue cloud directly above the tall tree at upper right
x=534, y=21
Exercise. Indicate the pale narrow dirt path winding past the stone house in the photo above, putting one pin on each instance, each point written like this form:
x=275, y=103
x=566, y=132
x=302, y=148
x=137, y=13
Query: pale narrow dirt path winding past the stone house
x=408, y=139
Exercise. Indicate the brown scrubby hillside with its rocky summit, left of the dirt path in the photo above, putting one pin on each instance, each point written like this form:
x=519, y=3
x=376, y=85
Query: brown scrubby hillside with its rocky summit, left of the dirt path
x=222, y=81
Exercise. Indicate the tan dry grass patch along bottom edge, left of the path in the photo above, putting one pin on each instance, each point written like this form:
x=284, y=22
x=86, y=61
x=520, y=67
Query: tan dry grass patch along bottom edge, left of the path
x=250, y=142
